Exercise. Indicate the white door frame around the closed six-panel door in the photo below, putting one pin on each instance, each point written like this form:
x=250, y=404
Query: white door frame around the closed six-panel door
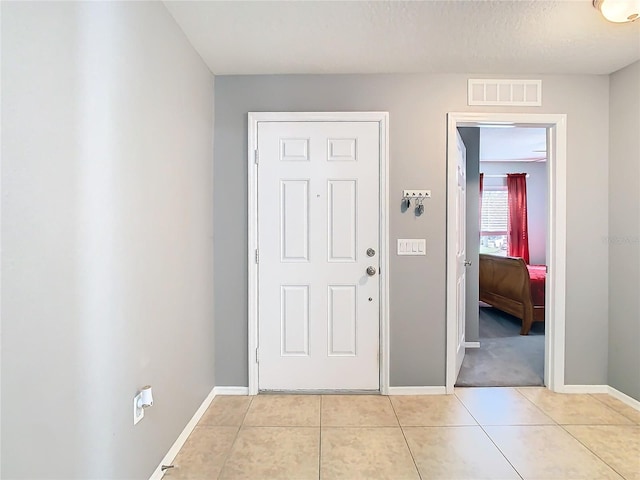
x=383, y=120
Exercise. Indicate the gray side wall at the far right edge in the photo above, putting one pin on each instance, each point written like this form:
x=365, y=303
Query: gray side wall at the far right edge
x=624, y=232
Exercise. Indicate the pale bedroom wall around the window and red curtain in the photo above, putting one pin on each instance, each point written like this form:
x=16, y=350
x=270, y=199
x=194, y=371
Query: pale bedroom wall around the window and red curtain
x=537, y=200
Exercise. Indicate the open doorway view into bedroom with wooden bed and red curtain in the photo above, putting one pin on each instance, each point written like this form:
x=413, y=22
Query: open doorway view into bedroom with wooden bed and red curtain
x=502, y=348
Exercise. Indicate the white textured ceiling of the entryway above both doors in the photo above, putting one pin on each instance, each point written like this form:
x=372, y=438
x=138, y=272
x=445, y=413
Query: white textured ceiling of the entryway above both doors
x=436, y=36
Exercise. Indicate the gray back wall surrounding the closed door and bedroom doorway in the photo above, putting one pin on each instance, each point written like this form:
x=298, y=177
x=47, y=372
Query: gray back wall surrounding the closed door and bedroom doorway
x=418, y=105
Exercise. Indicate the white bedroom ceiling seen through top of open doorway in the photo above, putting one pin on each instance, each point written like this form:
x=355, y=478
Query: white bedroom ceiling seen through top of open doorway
x=518, y=144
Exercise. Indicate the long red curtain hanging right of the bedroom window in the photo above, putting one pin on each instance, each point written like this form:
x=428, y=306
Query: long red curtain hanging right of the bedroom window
x=517, y=223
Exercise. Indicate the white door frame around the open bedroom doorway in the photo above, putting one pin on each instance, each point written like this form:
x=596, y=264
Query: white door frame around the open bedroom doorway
x=556, y=125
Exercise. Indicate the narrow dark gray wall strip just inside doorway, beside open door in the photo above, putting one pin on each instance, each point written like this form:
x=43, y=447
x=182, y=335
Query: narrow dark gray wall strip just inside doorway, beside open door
x=471, y=138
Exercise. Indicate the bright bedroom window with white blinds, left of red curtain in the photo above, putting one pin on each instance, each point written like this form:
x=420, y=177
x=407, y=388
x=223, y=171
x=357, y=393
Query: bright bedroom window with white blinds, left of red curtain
x=494, y=218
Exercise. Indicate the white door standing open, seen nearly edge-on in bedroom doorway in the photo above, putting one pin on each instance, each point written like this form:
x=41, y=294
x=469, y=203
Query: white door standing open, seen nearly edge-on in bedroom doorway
x=461, y=250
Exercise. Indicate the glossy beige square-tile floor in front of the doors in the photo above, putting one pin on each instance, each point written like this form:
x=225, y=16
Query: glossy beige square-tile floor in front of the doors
x=478, y=433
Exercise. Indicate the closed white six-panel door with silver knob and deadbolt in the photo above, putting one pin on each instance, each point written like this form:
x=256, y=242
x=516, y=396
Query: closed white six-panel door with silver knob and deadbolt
x=318, y=233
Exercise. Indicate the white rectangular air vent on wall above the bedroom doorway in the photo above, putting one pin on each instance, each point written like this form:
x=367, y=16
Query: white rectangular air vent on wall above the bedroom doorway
x=504, y=92
